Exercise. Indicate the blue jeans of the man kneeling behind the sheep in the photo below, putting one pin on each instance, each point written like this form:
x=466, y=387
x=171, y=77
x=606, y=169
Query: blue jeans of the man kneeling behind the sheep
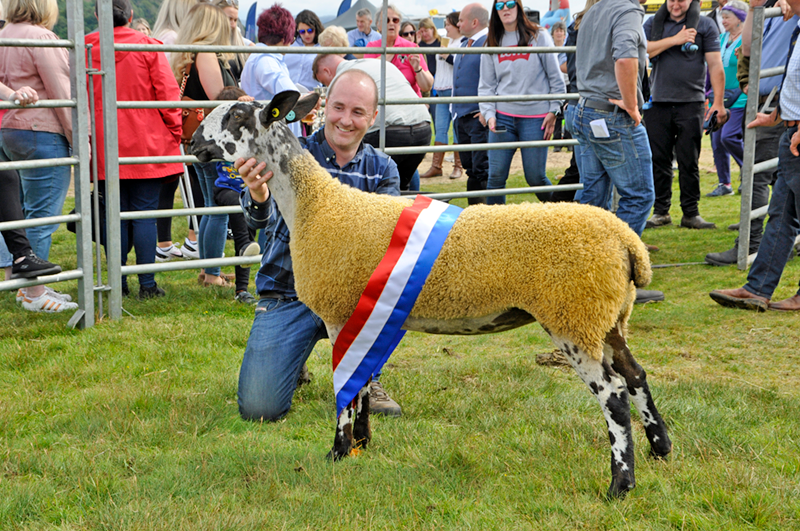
x=281, y=339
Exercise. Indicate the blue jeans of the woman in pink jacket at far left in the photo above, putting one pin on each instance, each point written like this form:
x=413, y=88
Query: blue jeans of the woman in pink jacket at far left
x=43, y=189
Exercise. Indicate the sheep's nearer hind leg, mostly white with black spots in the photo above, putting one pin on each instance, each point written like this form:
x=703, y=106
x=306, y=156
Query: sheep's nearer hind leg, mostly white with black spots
x=610, y=392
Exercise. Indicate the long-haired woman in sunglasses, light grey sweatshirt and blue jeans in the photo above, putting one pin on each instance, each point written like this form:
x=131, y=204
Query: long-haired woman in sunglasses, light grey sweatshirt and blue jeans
x=514, y=74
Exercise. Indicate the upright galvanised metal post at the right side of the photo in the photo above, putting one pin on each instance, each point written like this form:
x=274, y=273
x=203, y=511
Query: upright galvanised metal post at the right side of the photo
x=750, y=139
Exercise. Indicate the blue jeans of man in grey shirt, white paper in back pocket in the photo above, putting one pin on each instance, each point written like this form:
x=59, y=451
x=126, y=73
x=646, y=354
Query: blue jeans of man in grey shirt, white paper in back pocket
x=623, y=160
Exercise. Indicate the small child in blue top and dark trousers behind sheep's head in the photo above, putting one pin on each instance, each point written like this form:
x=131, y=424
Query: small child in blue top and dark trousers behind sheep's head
x=227, y=188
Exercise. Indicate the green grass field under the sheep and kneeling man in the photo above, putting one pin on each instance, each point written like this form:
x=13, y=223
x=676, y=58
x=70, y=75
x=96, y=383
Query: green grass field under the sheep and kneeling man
x=133, y=424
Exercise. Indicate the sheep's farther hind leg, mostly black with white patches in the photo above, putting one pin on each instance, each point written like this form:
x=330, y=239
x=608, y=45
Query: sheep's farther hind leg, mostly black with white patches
x=635, y=377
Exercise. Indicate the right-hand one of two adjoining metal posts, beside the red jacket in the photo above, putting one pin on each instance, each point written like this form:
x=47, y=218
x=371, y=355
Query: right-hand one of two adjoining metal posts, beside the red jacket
x=111, y=148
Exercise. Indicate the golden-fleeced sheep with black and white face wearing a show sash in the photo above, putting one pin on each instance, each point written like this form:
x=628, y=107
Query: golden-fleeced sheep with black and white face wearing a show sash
x=573, y=268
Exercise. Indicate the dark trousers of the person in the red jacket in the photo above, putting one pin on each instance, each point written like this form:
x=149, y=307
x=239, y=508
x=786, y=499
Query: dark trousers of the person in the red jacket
x=137, y=195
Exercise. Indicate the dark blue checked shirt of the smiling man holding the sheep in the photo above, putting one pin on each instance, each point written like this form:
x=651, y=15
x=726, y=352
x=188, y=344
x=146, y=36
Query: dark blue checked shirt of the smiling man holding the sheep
x=370, y=171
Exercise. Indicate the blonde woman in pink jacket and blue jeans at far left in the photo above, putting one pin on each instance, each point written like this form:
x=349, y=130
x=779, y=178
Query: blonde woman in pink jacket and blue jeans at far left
x=37, y=133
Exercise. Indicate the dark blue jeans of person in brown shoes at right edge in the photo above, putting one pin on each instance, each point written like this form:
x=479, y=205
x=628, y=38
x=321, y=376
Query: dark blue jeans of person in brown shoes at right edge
x=783, y=223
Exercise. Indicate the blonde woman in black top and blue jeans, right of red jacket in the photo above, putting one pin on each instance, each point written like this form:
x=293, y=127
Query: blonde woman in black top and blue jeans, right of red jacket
x=202, y=76
